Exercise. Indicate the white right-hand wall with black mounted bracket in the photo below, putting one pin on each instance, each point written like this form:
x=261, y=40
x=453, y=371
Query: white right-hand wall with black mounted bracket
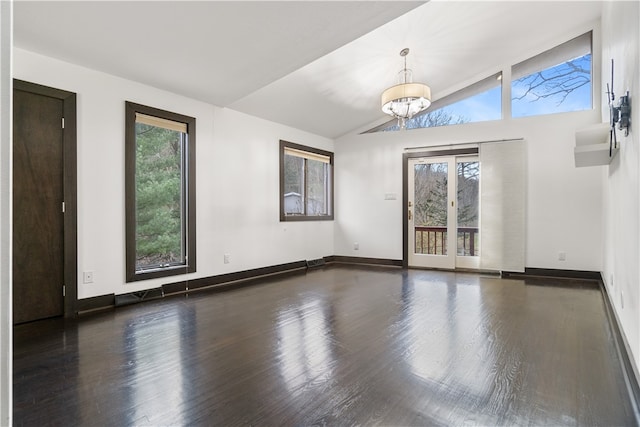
x=621, y=272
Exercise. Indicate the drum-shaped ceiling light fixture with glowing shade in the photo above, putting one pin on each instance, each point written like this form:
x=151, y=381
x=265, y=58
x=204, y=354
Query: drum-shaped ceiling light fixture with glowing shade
x=406, y=99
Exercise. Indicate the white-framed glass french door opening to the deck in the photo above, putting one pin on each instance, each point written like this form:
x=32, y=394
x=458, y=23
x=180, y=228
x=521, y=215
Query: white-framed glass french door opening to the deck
x=444, y=212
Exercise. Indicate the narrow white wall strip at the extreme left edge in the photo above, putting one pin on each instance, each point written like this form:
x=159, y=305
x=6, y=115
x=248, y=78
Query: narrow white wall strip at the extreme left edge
x=6, y=317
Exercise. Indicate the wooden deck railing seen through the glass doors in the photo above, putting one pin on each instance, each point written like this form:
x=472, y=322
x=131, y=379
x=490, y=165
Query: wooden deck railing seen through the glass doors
x=433, y=241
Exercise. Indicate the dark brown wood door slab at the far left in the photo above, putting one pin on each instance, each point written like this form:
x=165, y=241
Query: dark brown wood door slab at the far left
x=38, y=220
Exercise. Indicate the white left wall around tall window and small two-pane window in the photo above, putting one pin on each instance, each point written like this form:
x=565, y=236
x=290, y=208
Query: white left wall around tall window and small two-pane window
x=237, y=180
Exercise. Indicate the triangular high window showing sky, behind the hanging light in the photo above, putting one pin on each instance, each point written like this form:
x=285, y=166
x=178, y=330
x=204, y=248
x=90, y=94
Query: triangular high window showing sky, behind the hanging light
x=479, y=102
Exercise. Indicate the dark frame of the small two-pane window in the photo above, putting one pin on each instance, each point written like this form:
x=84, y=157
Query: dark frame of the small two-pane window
x=330, y=186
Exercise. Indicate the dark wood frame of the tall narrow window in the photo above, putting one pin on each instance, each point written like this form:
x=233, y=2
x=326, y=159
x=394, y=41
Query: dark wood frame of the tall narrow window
x=188, y=194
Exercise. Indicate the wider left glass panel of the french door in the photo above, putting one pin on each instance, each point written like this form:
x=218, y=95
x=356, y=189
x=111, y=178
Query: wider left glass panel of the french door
x=431, y=213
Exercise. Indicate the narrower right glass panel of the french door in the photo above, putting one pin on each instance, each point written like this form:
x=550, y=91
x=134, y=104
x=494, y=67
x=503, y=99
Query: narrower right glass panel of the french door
x=468, y=193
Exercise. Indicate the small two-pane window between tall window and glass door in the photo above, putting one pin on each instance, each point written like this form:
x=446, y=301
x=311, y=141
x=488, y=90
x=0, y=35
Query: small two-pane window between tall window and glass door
x=306, y=183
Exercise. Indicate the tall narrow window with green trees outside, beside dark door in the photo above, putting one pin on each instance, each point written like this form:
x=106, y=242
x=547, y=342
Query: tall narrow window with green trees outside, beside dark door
x=160, y=193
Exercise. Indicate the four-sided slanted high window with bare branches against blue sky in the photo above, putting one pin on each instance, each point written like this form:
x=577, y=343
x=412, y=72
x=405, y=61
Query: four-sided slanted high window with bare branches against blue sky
x=556, y=81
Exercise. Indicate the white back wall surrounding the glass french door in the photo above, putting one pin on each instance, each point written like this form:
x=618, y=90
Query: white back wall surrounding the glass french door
x=563, y=202
